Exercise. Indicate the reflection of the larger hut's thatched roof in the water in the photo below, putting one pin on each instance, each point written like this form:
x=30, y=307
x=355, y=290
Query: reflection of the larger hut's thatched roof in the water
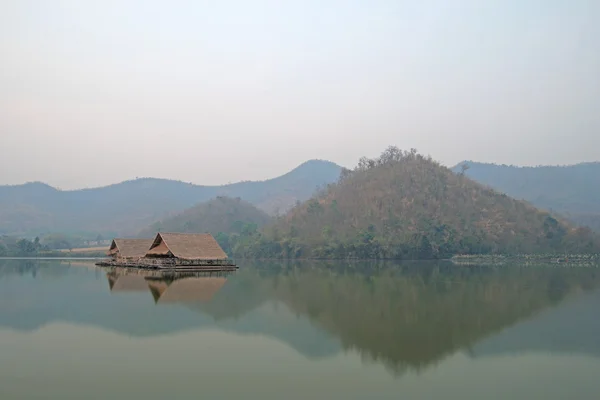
x=186, y=290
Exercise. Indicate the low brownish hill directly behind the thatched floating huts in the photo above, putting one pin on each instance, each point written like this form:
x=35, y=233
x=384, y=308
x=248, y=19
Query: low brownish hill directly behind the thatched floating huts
x=223, y=214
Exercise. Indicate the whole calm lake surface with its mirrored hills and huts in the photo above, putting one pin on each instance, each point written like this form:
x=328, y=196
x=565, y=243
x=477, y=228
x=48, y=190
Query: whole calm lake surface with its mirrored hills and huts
x=70, y=330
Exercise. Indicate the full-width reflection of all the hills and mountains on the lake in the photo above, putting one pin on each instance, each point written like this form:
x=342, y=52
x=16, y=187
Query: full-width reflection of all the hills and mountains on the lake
x=406, y=316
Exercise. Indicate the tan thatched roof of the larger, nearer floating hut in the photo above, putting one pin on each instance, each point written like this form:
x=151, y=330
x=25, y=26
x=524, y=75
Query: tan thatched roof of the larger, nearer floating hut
x=187, y=246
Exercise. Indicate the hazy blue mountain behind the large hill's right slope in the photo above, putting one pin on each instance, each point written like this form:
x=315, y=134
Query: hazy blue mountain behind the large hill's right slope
x=570, y=190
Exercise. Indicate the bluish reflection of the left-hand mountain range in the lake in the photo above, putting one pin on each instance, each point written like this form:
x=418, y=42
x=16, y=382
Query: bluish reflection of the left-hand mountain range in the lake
x=30, y=298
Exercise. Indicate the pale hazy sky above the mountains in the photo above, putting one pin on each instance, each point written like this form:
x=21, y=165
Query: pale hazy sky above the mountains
x=96, y=92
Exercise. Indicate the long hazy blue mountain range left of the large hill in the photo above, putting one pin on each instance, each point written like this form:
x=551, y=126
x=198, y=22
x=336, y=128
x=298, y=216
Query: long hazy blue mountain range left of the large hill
x=127, y=207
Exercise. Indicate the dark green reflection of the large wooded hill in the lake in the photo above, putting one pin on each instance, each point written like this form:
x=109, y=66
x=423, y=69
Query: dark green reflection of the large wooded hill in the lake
x=413, y=316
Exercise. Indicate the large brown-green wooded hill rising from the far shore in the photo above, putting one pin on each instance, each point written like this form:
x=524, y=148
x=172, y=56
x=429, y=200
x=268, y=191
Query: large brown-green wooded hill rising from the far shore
x=404, y=205
